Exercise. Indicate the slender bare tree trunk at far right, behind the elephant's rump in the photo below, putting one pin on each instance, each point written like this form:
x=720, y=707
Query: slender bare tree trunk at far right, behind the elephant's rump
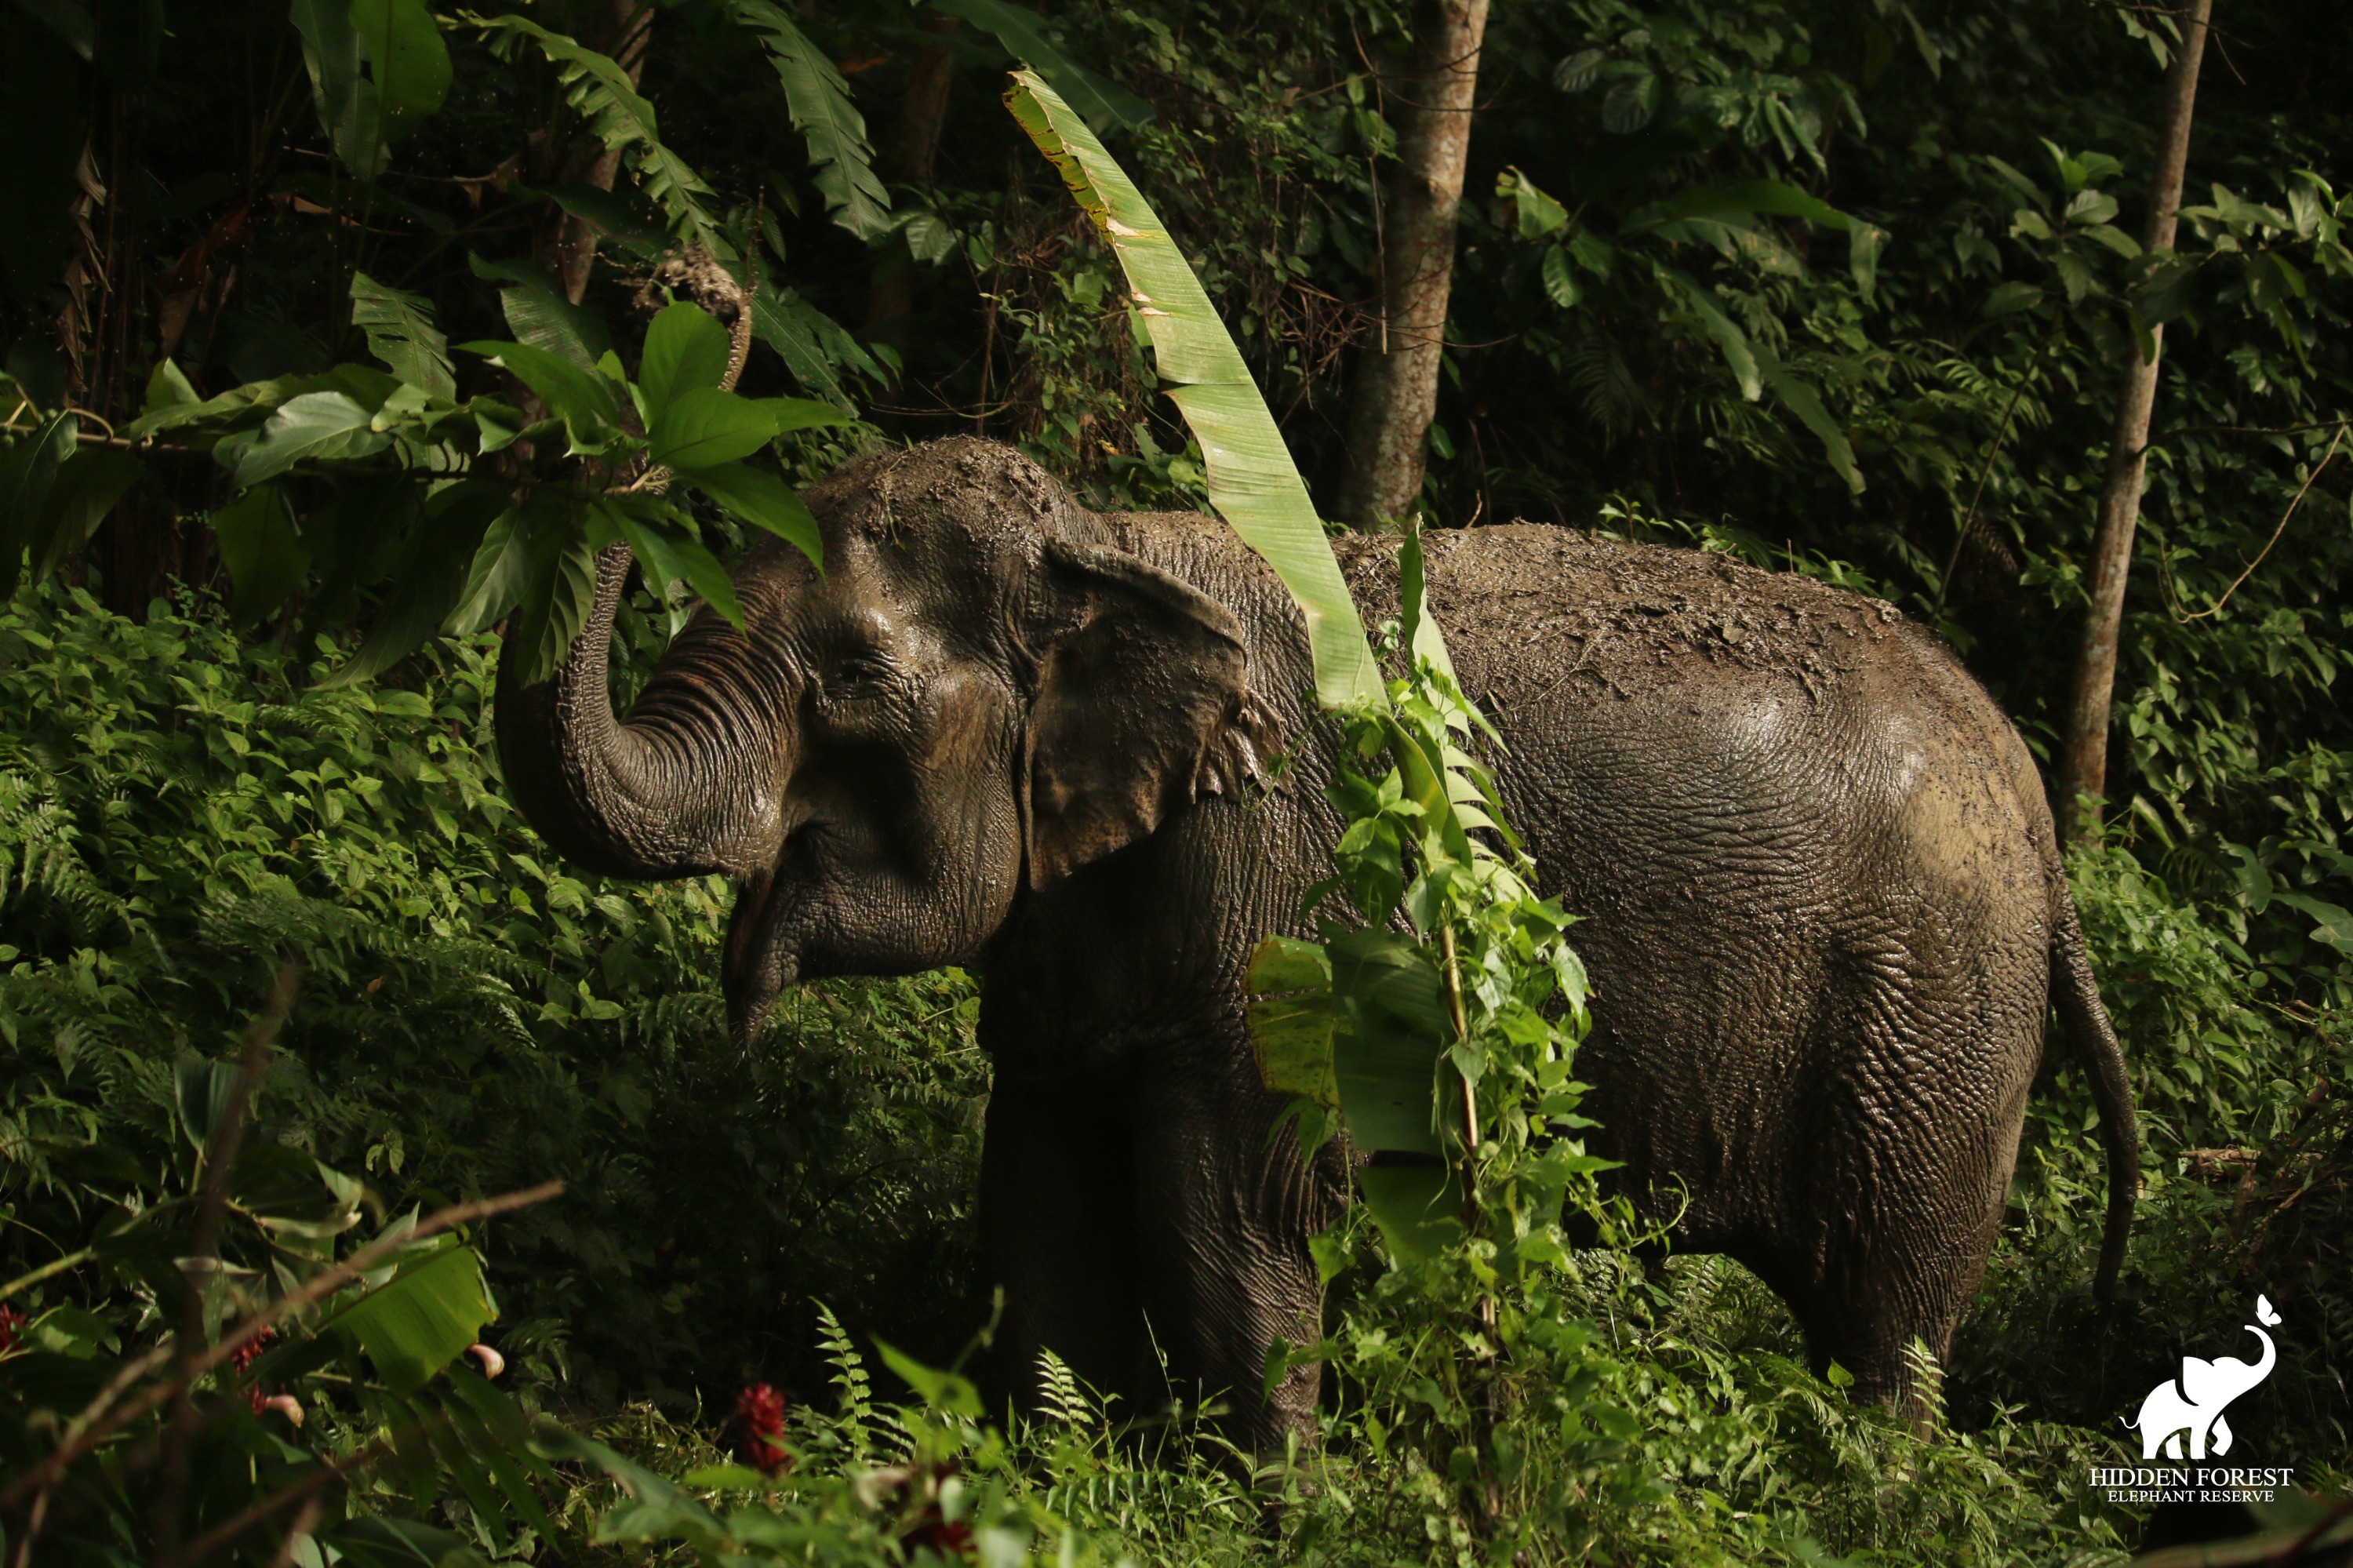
x=2084, y=764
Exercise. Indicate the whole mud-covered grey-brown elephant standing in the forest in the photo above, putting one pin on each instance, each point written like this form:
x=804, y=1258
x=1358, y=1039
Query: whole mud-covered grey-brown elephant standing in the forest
x=1825, y=910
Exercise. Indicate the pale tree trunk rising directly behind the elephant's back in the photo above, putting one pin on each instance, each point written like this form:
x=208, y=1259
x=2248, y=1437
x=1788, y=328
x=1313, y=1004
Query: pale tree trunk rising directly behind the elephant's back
x=1397, y=383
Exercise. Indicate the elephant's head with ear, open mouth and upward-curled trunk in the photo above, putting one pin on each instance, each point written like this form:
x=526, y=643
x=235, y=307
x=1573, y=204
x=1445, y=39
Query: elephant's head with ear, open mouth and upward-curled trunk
x=973, y=700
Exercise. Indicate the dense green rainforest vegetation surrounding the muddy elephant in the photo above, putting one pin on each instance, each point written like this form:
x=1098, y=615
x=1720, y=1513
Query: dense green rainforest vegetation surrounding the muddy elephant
x=1839, y=286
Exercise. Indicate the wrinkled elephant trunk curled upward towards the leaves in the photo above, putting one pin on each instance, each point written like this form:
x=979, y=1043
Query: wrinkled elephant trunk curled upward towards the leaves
x=679, y=788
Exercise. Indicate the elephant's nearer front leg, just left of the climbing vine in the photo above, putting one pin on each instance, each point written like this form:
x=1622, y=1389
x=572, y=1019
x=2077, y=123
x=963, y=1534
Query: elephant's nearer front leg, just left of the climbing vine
x=1222, y=1242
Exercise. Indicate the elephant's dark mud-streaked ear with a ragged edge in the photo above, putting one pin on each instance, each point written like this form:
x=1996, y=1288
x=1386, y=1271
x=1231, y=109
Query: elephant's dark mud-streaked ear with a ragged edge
x=1138, y=679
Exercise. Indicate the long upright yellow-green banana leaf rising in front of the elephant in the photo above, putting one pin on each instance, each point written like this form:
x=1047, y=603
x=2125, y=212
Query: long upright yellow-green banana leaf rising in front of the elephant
x=1253, y=479
